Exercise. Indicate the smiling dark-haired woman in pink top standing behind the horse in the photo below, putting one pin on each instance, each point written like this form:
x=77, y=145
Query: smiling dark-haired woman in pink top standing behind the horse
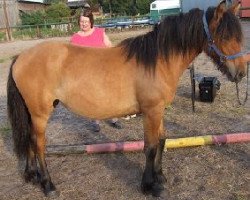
x=91, y=36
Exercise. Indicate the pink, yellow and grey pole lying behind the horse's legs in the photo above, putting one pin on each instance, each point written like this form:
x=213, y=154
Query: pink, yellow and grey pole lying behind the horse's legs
x=139, y=145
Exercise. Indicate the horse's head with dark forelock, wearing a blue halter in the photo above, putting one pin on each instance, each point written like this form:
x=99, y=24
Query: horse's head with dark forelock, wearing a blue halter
x=225, y=39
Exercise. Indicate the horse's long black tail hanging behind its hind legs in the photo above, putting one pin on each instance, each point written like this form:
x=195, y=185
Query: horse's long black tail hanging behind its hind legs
x=19, y=117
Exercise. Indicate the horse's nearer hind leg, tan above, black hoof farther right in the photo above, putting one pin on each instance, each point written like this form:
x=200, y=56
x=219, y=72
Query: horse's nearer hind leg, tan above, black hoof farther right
x=39, y=125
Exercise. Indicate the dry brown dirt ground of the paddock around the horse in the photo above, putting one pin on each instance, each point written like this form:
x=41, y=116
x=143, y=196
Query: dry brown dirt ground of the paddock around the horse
x=198, y=173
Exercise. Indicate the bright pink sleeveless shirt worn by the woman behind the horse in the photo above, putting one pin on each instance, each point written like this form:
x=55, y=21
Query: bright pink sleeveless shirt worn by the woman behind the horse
x=96, y=39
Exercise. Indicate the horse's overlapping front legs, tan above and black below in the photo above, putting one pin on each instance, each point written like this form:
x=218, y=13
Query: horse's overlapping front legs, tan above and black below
x=153, y=178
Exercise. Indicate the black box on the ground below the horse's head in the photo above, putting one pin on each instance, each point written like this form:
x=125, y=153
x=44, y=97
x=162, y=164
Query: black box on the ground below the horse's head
x=208, y=87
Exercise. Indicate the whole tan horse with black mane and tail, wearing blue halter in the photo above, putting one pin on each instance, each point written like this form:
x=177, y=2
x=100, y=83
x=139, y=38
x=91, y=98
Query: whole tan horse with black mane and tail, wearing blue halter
x=139, y=75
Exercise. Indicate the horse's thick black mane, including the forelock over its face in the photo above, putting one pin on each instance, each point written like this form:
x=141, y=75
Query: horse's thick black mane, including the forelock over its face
x=177, y=34
